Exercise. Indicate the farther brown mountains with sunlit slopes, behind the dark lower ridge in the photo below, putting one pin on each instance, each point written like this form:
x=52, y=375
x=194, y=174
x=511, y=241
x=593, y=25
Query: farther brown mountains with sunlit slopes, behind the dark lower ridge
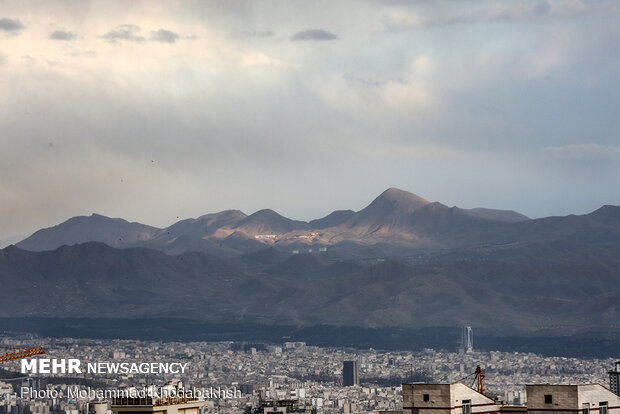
x=393, y=224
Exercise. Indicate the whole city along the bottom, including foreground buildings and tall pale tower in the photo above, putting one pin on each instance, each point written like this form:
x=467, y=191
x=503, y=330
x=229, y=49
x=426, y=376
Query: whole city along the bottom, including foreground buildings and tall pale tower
x=294, y=377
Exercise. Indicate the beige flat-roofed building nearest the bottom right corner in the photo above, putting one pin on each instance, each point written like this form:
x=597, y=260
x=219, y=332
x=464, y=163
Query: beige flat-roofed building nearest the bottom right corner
x=571, y=399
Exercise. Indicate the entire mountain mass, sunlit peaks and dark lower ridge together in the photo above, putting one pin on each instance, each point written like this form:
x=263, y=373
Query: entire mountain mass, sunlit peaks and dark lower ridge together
x=400, y=262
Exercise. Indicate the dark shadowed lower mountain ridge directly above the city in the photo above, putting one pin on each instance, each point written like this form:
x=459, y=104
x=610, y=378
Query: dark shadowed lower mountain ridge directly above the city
x=575, y=285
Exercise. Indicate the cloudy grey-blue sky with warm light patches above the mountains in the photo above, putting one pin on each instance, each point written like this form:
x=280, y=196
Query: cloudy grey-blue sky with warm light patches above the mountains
x=156, y=110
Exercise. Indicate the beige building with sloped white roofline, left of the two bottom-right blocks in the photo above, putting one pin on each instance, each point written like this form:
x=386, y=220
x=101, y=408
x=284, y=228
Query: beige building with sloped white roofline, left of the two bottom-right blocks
x=455, y=398
